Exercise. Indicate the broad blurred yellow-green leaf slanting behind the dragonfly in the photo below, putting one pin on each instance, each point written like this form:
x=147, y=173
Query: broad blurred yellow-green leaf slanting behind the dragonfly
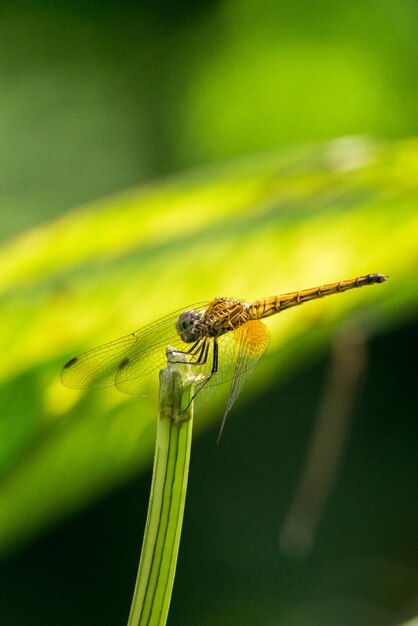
x=262, y=226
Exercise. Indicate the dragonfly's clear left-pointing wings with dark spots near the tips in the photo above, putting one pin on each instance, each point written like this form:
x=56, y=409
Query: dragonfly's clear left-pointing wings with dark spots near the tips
x=126, y=361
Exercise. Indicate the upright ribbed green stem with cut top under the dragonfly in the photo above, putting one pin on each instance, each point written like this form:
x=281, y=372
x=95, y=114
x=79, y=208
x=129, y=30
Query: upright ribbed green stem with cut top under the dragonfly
x=154, y=583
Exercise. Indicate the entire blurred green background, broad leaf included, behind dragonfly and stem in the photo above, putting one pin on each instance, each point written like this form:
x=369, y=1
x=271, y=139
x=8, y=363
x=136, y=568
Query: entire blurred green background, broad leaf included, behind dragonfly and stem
x=273, y=145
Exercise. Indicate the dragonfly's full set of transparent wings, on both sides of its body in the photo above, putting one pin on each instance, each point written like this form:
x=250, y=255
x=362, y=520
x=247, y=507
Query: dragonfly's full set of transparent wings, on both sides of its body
x=127, y=361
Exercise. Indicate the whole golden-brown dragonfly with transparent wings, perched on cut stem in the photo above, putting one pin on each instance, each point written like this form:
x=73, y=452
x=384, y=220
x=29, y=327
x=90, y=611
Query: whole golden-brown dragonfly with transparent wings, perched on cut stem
x=223, y=340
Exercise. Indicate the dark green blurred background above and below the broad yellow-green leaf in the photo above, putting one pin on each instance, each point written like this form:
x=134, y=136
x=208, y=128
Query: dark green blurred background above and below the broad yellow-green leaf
x=98, y=96
